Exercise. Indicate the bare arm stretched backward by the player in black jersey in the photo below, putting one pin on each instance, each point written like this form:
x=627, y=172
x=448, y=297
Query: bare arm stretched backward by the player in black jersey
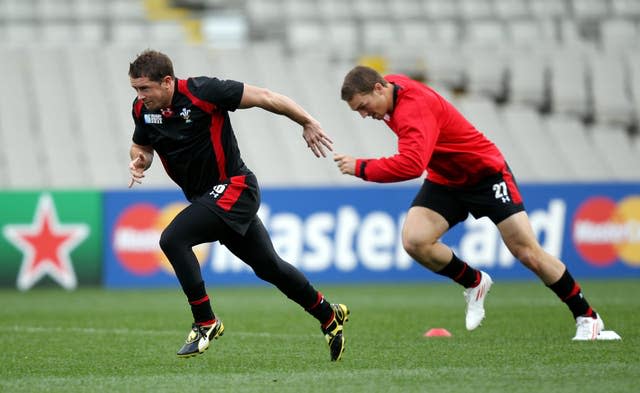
x=315, y=137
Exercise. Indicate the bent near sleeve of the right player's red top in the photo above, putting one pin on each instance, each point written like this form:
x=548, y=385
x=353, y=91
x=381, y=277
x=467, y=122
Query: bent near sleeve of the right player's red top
x=417, y=136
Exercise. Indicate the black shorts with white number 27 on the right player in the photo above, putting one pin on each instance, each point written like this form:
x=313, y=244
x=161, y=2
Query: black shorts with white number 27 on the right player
x=496, y=196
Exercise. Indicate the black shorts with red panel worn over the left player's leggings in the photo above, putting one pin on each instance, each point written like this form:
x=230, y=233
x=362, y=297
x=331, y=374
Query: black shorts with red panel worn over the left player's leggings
x=235, y=201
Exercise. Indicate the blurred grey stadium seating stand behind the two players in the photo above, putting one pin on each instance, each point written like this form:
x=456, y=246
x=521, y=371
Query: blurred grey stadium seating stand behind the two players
x=555, y=83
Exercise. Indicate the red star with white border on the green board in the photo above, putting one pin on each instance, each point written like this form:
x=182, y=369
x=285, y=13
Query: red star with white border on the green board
x=46, y=245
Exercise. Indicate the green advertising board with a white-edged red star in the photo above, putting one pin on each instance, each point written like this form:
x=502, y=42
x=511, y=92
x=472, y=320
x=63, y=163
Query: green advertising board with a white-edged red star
x=50, y=238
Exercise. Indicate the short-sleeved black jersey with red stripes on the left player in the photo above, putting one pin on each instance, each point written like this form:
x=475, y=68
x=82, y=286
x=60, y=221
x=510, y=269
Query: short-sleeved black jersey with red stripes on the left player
x=193, y=137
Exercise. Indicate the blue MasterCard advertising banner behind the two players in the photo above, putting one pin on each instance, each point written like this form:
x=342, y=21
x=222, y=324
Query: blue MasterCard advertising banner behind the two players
x=342, y=235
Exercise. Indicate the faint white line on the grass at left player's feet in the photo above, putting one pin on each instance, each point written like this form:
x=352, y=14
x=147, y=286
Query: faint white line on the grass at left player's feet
x=125, y=331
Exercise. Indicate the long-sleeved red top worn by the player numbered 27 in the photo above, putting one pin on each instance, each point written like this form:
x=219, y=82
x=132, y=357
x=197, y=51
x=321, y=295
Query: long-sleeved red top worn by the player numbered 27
x=432, y=136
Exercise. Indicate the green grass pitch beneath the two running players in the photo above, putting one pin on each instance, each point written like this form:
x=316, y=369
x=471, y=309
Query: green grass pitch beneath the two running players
x=95, y=340
